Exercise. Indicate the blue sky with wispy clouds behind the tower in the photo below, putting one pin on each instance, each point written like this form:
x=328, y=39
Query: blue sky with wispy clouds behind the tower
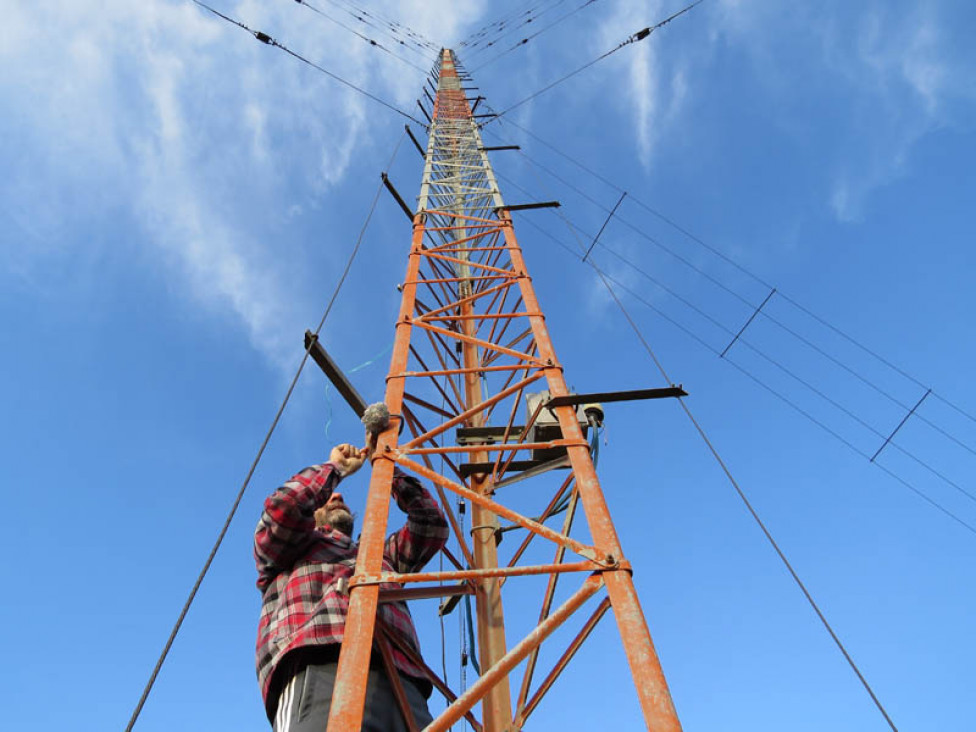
x=179, y=201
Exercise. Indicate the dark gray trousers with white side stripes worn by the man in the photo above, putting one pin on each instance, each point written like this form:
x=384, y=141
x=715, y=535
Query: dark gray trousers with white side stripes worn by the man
x=305, y=700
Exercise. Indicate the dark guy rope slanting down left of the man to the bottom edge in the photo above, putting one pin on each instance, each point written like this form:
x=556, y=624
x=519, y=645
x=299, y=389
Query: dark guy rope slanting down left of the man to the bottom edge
x=254, y=464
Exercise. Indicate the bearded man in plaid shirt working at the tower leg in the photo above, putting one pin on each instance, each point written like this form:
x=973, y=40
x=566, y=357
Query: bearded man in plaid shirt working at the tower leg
x=305, y=555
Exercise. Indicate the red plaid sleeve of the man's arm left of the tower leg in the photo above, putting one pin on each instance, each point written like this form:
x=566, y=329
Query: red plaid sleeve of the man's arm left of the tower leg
x=287, y=524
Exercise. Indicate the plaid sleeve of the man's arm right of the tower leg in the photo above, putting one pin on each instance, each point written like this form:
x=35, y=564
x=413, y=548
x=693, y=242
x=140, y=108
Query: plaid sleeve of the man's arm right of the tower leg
x=410, y=548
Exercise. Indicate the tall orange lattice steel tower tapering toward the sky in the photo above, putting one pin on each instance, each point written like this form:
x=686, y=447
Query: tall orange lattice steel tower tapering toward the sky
x=472, y=358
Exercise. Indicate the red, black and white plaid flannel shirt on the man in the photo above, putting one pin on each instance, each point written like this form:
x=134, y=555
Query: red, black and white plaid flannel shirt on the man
x=299, y=565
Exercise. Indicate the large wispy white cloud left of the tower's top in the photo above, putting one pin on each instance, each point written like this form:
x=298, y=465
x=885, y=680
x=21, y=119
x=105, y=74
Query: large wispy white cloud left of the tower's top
x=194, y=130
